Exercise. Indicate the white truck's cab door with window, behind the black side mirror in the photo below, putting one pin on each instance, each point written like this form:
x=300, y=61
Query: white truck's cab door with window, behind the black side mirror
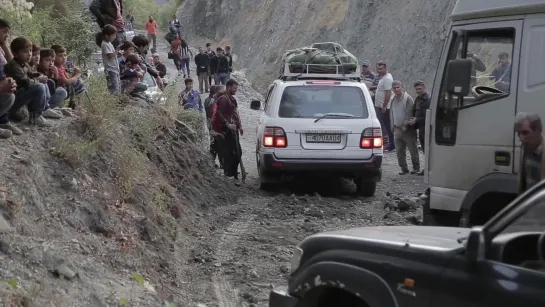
x=472, y=136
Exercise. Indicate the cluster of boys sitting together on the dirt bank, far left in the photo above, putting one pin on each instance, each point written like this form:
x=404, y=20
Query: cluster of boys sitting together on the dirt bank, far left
x=34, y=82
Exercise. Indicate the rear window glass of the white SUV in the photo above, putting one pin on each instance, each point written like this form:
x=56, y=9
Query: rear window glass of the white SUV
x=315, y=101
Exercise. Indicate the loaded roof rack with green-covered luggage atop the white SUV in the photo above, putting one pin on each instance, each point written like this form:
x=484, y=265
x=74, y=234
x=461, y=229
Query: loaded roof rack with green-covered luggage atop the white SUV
x=321, y=60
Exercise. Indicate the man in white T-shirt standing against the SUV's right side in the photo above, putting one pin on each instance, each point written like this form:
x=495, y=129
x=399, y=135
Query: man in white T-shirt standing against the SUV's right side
x=383, y=94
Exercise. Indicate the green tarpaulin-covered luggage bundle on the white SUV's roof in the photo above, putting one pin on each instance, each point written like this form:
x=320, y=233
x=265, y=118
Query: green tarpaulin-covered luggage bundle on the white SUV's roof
x=320, y=54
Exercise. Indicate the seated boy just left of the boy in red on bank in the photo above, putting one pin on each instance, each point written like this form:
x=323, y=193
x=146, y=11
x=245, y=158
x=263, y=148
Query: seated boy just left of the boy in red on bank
x=58, y=94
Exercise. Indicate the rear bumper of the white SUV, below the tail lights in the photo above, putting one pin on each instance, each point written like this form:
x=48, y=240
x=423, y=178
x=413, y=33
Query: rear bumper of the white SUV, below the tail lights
x=371, y=166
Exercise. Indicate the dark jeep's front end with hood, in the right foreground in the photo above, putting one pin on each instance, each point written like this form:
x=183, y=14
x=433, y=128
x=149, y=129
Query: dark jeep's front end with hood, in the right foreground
x=499, y=264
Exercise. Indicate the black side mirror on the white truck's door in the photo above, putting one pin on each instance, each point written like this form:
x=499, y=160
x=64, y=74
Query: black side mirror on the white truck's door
x=459, y=77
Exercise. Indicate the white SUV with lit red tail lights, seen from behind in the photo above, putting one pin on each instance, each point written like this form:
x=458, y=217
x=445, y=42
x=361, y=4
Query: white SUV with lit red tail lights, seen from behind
x=319, y=124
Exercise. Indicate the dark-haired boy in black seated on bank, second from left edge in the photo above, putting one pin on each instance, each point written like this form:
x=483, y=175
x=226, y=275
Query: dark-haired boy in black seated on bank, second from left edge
x=29, y=91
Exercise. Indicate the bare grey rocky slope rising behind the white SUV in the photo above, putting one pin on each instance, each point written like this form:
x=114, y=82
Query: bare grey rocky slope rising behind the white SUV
x=409, y=35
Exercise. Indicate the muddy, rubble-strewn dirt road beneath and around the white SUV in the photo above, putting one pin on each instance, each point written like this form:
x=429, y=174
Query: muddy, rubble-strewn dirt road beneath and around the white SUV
x=250, y=244
